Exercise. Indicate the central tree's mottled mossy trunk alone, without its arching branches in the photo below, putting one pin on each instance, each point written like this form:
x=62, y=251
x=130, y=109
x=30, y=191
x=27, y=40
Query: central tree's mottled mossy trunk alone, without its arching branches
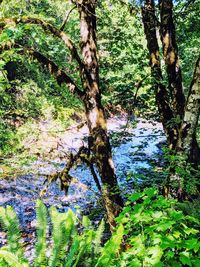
x=99, y=140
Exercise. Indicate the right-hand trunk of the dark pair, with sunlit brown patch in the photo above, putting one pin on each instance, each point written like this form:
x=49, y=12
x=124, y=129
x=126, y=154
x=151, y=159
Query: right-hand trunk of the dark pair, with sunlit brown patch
x=170, y=52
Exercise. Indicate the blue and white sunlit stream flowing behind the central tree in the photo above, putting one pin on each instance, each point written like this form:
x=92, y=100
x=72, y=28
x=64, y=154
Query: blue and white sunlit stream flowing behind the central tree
x=134, y=149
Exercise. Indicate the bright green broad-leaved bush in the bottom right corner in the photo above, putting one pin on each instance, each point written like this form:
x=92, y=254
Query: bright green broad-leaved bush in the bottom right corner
x=157, y=233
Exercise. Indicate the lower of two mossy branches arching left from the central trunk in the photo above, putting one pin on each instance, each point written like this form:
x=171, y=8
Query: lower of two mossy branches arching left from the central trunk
x=53, y=69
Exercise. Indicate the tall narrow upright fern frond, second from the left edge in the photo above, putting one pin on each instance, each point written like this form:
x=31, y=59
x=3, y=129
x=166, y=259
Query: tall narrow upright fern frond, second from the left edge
x=41, y=230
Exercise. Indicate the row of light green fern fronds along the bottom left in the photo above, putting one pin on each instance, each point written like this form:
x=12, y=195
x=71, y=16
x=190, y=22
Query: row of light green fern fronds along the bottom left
x=69, y=248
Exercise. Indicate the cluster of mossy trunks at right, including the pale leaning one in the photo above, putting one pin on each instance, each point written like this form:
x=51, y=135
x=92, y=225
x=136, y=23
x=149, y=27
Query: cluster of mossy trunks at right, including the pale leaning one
x=179, y=117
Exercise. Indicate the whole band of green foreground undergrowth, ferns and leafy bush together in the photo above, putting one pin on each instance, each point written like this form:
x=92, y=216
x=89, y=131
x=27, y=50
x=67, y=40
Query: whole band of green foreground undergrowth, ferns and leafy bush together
x=150, y=232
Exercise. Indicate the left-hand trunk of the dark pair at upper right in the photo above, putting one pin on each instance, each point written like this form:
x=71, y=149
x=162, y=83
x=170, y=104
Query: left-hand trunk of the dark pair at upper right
x=162, y=97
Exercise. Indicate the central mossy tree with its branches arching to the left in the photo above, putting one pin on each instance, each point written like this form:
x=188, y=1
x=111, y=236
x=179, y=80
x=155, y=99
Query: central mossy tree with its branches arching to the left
x=99, y=149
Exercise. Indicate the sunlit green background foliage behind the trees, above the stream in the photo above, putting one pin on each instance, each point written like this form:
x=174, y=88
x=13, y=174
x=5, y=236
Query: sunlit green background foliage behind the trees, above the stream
x=124, y=69
